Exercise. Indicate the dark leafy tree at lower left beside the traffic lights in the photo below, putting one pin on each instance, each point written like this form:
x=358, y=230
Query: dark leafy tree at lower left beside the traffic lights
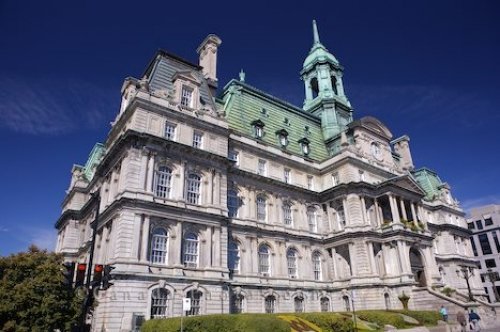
x=32, y=294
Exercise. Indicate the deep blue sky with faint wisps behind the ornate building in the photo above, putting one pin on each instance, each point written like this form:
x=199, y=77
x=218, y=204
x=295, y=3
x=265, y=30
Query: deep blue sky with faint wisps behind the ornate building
x=429, y=69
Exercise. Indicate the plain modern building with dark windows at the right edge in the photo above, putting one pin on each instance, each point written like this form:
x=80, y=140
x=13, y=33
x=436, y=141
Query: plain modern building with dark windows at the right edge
x=484, y=222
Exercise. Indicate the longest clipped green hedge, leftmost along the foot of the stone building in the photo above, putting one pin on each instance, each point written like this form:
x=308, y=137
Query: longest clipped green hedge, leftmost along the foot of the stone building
x=219, y=323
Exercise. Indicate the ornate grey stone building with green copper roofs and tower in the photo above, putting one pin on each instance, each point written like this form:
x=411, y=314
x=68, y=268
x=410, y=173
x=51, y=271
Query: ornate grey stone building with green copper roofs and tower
x=244, y=202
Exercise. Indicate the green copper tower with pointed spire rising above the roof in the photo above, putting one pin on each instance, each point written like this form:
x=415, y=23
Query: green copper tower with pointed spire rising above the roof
x=325, y=97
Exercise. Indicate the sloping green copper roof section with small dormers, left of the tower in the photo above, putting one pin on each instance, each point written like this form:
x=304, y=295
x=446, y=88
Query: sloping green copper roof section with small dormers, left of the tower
x=245, y=106
